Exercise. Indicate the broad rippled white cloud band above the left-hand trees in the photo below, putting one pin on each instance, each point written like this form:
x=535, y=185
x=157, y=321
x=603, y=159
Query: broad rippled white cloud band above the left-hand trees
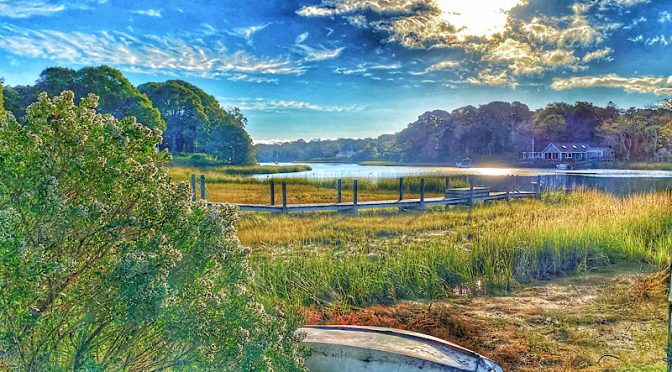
x=152, y=53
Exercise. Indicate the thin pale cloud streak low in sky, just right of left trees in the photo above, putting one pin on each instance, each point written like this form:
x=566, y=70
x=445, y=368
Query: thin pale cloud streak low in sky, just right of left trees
x=280, y=105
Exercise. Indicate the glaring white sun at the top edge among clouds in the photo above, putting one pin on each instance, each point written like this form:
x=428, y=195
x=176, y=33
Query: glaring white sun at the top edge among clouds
x=481, y=18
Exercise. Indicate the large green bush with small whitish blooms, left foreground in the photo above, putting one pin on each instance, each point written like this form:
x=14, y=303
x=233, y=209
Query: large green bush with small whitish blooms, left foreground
x=106, y=264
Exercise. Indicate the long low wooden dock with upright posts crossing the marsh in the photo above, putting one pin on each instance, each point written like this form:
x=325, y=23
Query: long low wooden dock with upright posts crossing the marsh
x=452, y=196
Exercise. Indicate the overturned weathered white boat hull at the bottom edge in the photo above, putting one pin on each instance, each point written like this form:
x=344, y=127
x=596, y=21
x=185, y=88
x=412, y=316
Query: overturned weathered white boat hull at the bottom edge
x=353, y=348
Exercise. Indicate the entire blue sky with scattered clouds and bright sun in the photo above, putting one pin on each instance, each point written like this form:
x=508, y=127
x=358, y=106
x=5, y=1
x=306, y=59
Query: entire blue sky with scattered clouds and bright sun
x=355, y=68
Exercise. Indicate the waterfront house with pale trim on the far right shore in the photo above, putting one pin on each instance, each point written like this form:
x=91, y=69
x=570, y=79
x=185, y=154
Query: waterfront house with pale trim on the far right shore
x=556, y=151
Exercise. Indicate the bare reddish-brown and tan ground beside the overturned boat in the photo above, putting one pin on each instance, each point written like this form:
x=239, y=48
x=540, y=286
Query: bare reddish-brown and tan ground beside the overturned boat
x=614, y=318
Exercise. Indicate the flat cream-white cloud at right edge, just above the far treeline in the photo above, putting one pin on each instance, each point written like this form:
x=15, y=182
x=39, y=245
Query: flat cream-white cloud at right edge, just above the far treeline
x=658, y=85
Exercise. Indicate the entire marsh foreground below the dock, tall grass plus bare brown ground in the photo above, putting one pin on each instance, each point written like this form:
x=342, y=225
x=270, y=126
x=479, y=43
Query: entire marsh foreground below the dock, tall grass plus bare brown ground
x=481, y=278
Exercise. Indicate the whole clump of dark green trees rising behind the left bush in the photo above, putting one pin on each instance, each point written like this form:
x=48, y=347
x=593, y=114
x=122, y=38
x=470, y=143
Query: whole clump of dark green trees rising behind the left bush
x=191, y=120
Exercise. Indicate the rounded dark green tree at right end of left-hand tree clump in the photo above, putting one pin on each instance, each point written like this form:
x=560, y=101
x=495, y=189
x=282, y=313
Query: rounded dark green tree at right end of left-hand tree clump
x=196, y=122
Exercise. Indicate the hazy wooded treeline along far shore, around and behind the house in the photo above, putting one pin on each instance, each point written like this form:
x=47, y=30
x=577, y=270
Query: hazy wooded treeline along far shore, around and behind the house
x=499, y=131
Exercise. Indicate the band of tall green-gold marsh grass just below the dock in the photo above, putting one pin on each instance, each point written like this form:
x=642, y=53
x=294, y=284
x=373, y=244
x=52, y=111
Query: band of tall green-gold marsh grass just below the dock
x=379, y=257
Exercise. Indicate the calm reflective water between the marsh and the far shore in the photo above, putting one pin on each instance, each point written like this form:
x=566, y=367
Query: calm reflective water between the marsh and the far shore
x=616, y=181
